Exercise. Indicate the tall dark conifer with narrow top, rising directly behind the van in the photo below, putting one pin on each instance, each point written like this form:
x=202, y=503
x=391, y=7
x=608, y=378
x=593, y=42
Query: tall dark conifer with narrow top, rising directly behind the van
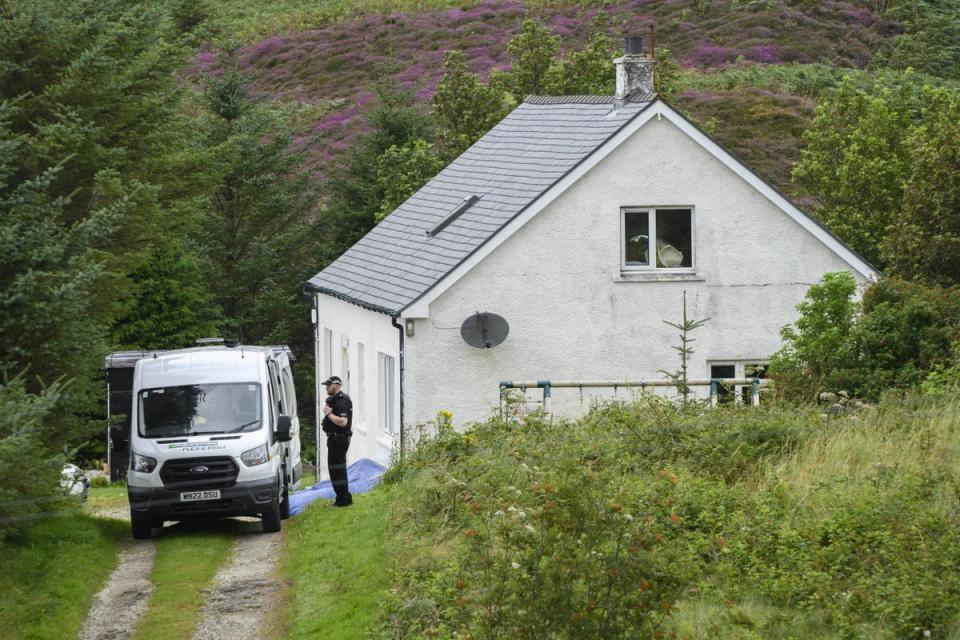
x=256, y=245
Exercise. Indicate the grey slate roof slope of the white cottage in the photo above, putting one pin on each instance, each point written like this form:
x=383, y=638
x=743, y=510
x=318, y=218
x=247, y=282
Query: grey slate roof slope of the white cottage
x=510, y=167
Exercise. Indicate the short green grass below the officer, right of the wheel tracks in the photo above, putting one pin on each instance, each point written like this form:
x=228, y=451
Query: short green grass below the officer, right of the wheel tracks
x=337, y=564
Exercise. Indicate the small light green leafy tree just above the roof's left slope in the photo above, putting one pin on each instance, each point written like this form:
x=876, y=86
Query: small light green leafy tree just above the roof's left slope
x=402, y=171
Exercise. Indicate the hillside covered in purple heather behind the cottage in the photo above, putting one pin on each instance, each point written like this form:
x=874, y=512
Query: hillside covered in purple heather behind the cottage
x=326, y=66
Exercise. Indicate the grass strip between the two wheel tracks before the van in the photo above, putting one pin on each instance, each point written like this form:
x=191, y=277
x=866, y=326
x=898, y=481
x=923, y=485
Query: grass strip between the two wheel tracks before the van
x=188, y=557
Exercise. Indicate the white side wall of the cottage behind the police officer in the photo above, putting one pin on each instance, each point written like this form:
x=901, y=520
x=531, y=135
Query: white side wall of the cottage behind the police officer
x=353, y=325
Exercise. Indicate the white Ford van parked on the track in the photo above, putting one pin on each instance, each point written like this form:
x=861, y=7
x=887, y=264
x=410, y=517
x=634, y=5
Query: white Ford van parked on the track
x=213, y=433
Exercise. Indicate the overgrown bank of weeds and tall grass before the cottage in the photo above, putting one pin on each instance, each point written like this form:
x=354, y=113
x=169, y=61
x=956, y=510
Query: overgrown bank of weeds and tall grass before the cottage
x=625, y=523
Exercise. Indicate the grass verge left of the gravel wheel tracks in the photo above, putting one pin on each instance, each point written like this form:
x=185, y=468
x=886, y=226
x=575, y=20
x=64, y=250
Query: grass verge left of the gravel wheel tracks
x=49, y=575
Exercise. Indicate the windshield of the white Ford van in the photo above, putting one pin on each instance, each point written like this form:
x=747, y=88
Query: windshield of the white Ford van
x=199, y=409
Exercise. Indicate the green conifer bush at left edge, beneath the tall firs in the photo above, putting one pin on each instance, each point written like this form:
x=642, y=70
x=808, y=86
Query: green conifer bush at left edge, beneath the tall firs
x=29, y=467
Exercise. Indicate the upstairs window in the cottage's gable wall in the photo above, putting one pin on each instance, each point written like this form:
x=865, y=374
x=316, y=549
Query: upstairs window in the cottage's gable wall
x=657, y=238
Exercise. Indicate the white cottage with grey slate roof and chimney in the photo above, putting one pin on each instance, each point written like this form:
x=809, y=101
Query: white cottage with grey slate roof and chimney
x=581, y=220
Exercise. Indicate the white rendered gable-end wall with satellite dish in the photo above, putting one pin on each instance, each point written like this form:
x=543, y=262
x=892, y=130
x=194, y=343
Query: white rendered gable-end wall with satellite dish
x=558, y=283
